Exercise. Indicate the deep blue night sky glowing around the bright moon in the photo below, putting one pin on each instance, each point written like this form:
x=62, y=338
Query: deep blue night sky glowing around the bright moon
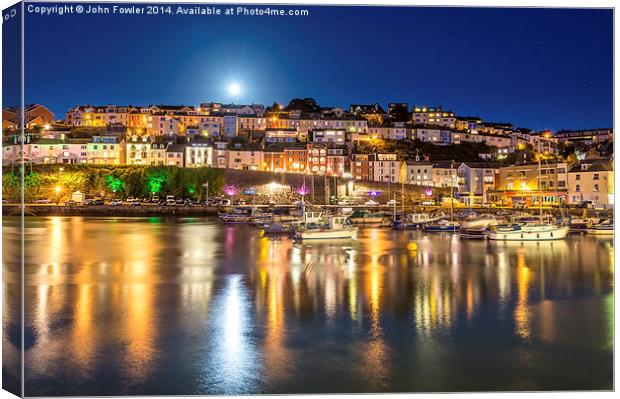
x=539, y=68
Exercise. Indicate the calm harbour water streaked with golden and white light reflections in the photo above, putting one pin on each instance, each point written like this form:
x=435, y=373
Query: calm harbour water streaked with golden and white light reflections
x=188, y=306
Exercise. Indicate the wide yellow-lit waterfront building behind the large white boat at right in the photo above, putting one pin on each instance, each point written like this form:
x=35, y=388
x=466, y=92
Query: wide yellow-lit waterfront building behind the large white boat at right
x=518, y=185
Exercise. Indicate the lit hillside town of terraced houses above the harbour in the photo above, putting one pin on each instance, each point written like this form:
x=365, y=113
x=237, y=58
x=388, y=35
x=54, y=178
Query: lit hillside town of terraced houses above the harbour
x=428, y=146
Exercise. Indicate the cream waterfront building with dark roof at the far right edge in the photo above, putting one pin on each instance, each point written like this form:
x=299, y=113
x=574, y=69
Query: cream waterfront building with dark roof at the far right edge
x=591, y=180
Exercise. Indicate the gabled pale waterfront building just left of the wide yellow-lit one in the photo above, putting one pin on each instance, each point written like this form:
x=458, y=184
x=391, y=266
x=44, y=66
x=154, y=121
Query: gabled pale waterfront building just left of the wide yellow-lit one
x=475, y=181
